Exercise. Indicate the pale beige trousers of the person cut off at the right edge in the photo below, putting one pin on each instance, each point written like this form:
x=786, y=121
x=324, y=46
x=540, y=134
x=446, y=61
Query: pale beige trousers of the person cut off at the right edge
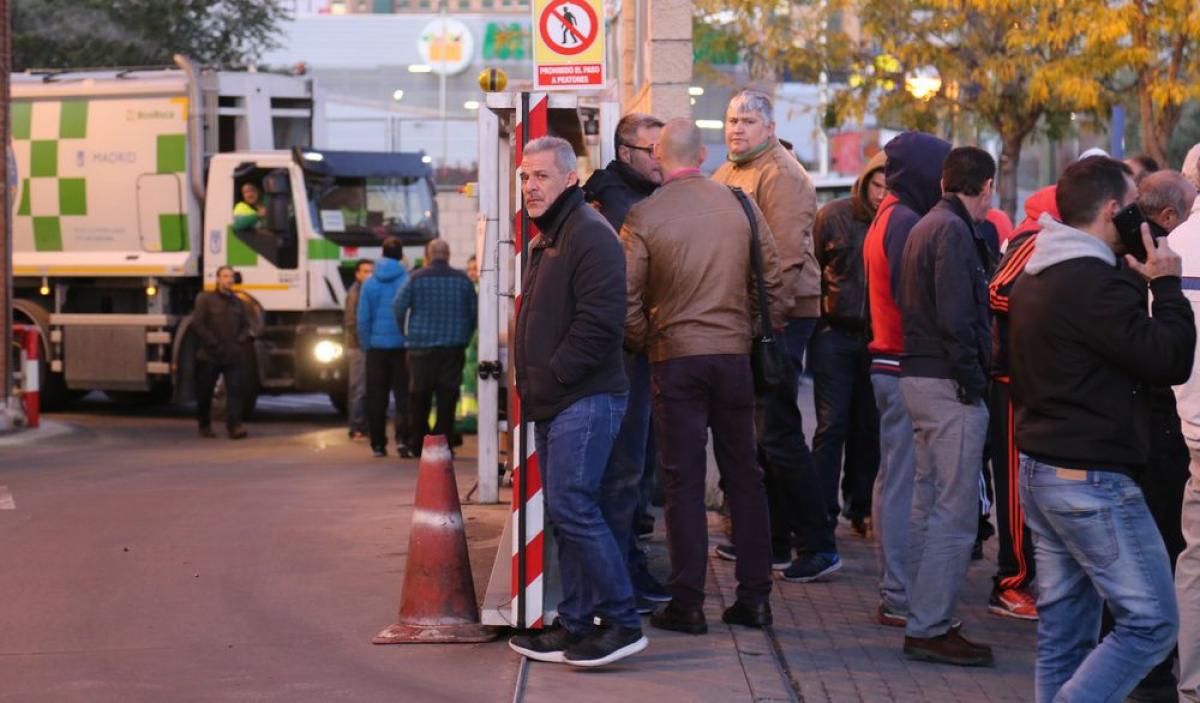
x=1187, y=588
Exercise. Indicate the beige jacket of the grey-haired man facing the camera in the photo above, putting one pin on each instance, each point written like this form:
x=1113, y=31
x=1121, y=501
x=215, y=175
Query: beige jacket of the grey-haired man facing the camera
x=789, y=201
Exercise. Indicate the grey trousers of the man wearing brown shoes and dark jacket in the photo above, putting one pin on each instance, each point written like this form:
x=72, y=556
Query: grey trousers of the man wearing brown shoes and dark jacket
x=950, y=438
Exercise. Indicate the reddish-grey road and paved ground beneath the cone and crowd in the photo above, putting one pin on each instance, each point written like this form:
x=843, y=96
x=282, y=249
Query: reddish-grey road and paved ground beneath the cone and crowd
x=142, y=563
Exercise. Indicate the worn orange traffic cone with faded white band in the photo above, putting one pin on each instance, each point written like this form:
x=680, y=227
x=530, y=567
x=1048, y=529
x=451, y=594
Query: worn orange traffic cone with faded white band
x=439, y=600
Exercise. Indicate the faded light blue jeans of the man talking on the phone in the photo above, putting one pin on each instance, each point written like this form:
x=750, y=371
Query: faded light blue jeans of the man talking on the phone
x=1095, y=542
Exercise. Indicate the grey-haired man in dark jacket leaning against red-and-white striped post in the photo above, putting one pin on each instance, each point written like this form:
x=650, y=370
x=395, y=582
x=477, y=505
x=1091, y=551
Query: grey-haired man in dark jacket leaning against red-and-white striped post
x=572, y=380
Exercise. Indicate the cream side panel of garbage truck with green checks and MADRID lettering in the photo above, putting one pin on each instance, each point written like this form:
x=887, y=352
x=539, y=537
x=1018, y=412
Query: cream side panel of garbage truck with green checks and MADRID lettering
x=59, y=145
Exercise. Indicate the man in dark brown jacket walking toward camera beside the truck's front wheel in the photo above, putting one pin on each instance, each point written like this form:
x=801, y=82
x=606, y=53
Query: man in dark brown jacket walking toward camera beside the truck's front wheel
x=223, y=326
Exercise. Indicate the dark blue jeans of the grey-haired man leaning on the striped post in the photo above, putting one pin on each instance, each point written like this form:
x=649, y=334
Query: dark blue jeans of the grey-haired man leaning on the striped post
x=573, y=452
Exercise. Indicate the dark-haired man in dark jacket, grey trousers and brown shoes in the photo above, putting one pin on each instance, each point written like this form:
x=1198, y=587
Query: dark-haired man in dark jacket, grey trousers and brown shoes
x=944, y=382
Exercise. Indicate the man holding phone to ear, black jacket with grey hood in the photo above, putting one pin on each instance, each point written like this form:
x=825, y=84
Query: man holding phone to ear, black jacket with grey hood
x=1084, y=354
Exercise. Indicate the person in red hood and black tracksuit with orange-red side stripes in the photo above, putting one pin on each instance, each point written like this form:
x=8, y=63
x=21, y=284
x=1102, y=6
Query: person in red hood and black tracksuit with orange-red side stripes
x=1012, y=596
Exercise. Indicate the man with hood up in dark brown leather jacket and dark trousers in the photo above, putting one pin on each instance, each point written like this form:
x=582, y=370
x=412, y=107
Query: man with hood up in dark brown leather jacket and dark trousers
x=845, y=404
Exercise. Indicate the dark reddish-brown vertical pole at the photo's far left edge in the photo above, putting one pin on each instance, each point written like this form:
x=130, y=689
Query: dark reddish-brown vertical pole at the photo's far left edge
x=5, y=214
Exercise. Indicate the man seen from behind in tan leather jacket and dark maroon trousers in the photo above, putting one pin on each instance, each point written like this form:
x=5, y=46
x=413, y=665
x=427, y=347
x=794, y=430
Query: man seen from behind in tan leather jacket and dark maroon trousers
x=693, y=311
